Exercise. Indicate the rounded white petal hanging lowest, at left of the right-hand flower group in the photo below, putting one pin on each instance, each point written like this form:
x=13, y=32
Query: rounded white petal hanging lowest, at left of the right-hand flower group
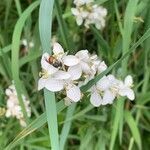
x=95, y=99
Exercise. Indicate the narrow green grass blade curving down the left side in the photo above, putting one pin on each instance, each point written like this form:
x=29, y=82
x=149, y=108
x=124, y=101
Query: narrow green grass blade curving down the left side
x=15, y=53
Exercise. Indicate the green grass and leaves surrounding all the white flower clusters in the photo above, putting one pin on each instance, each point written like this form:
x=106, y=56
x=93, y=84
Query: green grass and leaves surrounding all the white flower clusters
x=123, y=44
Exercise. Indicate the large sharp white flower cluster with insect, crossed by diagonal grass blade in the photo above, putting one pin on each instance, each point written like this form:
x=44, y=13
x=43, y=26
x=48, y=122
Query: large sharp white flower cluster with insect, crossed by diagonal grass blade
x=67, y=73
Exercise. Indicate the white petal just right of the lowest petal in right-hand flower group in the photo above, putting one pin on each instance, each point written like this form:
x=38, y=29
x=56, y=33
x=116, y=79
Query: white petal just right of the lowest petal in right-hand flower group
x=108, y=97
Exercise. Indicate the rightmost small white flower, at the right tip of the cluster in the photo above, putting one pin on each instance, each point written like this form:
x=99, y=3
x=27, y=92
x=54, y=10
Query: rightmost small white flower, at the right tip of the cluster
x=125, y=88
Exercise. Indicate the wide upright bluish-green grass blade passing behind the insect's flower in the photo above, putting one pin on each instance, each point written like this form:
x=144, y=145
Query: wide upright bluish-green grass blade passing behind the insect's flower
x=45, y=23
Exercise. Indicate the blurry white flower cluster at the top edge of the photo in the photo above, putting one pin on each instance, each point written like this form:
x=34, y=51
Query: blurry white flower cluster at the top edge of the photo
x=88, y=13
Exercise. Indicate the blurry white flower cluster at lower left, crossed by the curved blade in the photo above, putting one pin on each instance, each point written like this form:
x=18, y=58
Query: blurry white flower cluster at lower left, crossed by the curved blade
x=13, y=108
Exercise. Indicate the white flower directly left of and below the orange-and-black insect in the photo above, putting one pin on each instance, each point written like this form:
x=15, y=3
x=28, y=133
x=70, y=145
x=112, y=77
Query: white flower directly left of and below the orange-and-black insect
x=52, y=77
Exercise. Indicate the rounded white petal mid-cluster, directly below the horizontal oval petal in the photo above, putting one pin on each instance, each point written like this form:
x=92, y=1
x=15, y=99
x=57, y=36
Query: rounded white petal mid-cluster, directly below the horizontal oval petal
x=75, y=72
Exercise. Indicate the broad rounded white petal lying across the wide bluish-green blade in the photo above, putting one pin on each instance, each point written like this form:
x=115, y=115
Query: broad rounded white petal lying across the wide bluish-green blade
x=54, y=85
